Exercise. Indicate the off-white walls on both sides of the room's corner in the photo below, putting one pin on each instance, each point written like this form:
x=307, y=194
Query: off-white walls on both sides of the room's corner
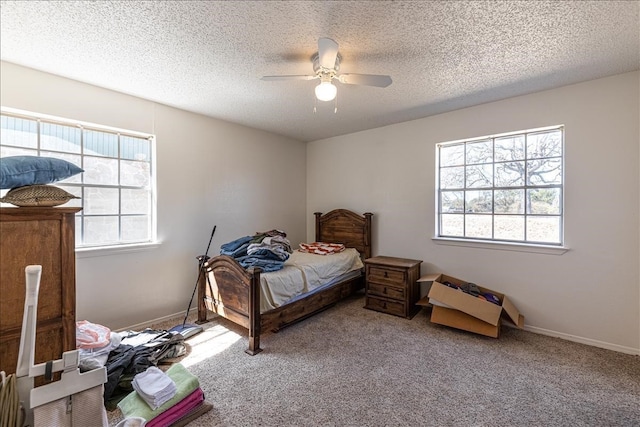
x=212, y=172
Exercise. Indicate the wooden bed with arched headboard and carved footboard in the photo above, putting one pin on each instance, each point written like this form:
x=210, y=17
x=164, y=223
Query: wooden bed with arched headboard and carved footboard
x=235, y=293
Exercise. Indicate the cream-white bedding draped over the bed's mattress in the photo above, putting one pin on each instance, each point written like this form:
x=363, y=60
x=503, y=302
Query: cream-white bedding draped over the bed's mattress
x=303, y=273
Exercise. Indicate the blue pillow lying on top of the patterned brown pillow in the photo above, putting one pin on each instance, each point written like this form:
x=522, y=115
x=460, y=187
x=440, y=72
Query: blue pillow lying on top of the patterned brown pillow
x=18, y=171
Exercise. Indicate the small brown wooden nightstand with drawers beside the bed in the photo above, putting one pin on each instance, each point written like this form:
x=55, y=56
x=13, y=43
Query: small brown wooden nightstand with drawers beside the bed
x=391, y=285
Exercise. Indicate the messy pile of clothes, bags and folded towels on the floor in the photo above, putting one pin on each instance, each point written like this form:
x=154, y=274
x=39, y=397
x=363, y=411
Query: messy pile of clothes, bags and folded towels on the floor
x=135, y=384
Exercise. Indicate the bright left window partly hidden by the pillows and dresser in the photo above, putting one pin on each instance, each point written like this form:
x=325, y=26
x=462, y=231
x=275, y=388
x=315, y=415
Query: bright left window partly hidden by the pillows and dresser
x=117, y=187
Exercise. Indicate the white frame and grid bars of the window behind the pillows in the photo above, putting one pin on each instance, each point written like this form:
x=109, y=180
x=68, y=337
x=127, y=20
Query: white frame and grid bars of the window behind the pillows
x=77, y=185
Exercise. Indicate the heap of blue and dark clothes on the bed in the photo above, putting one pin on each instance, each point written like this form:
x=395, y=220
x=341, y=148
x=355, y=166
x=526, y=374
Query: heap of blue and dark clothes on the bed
x=267, y=250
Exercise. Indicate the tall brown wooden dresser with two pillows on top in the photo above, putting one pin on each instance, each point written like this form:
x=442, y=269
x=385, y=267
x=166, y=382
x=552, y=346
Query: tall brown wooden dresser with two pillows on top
x=37, y=236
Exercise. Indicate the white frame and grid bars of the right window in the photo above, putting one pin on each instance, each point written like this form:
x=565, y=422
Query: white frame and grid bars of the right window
x=492, y=242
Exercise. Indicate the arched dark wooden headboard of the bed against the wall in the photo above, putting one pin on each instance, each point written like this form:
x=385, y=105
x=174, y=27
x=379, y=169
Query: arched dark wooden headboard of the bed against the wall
x=346, y=227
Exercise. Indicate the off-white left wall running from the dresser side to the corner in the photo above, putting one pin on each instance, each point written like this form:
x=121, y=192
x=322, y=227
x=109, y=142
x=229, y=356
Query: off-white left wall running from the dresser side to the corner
x=210, y=172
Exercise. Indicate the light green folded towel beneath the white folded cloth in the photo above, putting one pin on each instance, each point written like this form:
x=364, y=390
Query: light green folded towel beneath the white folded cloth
x=134, y=406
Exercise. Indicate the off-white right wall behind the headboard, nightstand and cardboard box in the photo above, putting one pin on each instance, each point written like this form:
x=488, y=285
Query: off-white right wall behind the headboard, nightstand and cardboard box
x=589, y=294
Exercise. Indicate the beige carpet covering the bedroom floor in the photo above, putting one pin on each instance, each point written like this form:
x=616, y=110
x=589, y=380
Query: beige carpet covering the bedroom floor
x=349, y=366
